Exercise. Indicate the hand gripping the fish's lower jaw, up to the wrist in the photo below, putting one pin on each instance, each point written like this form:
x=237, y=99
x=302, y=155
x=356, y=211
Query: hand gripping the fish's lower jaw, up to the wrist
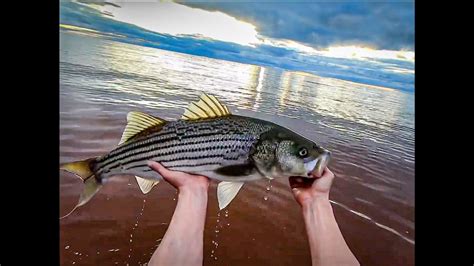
x=306, y=190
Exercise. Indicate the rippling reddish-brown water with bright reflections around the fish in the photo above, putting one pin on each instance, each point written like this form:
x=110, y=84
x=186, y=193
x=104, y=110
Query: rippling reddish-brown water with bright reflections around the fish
x=370, y=131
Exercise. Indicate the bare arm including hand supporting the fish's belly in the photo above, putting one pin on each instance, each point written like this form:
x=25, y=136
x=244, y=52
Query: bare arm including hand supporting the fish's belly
x=183, y=241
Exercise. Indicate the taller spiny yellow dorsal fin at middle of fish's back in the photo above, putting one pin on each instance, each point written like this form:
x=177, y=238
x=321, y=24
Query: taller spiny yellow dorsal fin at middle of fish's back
x=208, y=106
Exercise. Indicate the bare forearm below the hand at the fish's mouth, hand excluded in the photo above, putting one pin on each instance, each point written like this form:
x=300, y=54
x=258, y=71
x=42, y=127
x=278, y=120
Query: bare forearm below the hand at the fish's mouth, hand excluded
x=327, y=244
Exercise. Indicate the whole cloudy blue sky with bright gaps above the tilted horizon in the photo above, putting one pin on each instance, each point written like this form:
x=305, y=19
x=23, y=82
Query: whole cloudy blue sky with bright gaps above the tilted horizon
x=370, y=42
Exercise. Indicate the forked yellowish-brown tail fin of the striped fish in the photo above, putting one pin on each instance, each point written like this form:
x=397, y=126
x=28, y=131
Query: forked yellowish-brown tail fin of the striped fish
x=92, y=184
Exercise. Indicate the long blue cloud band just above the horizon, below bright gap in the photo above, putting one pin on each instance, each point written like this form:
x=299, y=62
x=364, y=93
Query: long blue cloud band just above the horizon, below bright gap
x=387, y=72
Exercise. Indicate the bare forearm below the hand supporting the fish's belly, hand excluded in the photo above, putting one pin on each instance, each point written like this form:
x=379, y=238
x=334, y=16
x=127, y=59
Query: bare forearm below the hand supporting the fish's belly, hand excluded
x=183, y=241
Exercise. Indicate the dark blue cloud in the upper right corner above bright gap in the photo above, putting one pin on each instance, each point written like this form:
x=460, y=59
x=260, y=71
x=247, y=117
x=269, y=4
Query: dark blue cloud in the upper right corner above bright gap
x=381, y=25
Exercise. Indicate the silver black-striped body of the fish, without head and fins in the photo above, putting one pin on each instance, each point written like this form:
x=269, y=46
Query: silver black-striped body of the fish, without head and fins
x=197, y=147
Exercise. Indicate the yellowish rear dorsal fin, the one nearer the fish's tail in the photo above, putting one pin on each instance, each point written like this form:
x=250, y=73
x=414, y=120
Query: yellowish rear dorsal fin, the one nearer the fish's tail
x=138, y=122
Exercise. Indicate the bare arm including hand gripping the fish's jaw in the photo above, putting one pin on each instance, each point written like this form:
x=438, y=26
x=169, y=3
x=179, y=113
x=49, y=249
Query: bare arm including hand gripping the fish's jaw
x=326, y=242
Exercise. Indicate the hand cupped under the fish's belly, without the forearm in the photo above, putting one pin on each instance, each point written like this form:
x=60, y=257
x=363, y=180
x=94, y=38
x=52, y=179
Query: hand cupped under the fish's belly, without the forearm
x=180, y=180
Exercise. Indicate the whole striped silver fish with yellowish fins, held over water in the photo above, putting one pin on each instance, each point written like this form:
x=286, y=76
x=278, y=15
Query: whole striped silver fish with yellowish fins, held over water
x=207, y=140
